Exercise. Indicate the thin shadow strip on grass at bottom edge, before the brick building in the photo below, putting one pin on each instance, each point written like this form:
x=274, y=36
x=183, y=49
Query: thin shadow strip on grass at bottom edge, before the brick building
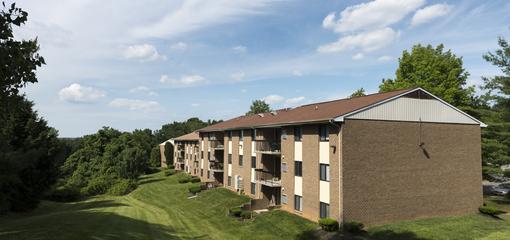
x=378, y=235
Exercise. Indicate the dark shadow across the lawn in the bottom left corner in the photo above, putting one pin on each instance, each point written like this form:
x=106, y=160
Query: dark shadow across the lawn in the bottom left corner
x=84, y=222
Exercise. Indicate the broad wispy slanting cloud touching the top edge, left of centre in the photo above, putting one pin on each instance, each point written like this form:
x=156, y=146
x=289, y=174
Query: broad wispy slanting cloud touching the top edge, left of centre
x=193, y=15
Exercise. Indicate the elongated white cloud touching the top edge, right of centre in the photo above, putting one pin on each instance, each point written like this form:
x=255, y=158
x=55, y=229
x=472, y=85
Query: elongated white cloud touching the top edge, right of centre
x=372, y=15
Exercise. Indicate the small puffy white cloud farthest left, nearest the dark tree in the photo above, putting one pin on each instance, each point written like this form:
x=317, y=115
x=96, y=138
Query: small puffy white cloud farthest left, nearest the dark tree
x=81, y=94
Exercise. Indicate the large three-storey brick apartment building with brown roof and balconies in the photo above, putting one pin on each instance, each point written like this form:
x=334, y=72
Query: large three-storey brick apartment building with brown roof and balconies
x=378, y=158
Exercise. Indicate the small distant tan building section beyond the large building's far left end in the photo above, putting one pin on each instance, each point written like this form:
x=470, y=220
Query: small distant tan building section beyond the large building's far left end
x=186, y=153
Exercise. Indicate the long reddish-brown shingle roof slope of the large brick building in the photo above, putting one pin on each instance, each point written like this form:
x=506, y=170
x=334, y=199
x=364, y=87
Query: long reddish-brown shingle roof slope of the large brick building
x=315, y=112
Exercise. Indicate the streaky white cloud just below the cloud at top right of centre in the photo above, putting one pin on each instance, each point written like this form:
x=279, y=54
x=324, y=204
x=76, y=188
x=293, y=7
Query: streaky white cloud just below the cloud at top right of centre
x=366, y=41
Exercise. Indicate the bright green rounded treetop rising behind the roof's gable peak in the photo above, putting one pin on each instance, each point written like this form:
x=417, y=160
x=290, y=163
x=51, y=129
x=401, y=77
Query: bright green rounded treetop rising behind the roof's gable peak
x=437, y=71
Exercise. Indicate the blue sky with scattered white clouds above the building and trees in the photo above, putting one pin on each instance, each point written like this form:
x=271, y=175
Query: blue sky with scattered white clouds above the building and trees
x=141, y=64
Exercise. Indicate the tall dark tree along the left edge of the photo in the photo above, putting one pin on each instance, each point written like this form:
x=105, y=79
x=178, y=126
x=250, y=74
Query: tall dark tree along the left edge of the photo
x=29, y=149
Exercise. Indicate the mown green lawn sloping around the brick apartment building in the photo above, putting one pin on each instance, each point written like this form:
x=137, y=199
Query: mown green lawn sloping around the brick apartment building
x=160, y=209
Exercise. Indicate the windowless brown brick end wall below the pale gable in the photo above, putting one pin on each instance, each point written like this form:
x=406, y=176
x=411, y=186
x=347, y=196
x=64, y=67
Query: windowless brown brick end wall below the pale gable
x=387, y=176
